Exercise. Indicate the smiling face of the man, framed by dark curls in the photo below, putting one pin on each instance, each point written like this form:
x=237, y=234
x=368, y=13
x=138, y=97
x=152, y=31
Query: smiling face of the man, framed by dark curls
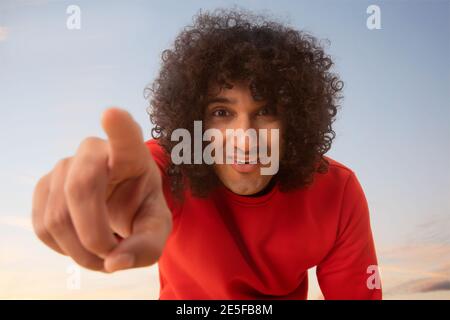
x=235, y=109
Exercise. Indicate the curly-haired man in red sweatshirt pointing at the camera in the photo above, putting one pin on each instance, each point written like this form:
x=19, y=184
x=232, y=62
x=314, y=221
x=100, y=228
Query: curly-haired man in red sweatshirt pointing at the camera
x=221, y=230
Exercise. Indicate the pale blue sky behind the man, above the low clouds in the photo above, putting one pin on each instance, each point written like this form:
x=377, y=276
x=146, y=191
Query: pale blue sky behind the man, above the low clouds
x=393, y=129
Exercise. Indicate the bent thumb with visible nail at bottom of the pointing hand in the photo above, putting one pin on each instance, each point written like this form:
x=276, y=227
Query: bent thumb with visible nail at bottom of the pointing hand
x=151, y=228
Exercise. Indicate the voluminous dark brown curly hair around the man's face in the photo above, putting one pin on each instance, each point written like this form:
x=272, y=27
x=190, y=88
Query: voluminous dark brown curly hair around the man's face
x=283, y=65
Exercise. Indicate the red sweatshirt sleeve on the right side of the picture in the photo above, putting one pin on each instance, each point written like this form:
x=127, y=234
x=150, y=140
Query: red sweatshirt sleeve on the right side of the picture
x=349, y=270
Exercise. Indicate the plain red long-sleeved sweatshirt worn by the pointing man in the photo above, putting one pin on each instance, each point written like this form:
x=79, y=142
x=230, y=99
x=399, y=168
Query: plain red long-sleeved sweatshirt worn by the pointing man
x=228, y=246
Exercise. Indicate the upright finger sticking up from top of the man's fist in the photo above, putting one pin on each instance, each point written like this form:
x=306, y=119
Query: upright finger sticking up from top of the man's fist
x=128, y=155
